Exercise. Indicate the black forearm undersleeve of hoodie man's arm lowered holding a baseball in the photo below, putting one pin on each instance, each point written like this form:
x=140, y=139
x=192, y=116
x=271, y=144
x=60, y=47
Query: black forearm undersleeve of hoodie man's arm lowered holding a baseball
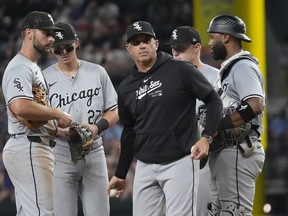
x=127, y=152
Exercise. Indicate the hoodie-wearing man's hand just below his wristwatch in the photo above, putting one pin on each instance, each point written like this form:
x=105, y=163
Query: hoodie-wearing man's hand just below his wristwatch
x=200, y=150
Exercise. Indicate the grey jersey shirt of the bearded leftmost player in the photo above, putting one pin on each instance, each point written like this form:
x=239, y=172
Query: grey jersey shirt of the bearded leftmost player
x=20, y=76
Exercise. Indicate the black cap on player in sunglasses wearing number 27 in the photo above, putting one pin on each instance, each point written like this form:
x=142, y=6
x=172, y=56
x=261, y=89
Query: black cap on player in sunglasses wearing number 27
x=67, y=36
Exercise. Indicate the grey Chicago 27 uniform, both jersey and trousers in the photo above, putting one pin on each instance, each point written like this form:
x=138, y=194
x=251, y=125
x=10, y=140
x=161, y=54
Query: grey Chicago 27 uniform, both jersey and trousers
x=85, y=97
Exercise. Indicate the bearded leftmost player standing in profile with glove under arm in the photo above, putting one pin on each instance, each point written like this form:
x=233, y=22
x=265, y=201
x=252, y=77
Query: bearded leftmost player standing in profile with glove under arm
x=28, y=155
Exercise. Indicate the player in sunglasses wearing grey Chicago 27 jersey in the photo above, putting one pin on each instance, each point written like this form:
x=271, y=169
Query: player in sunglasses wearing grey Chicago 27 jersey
x=85, y=91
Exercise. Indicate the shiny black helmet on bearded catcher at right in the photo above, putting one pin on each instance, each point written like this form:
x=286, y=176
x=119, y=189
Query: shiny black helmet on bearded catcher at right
x=231, y=25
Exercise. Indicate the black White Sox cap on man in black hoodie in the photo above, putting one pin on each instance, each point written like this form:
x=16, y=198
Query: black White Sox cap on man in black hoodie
x=139, y=27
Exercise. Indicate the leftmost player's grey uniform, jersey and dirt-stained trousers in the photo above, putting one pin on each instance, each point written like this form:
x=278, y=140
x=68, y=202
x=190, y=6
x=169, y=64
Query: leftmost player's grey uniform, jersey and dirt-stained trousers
x=29, y=163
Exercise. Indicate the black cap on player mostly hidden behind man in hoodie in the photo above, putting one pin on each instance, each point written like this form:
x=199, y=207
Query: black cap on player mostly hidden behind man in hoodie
x=184, y=35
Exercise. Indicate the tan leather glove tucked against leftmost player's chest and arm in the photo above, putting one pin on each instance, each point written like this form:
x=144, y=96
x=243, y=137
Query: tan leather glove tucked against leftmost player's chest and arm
x=39, y=96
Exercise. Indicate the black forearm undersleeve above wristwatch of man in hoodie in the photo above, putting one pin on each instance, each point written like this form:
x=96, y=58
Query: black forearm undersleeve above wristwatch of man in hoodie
x=214, y=107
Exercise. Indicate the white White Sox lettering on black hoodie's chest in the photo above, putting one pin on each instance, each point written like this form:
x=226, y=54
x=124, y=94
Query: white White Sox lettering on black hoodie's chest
x=149, y=89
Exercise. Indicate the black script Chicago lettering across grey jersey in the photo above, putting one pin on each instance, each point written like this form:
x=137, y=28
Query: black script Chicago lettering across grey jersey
x=86, y=93
